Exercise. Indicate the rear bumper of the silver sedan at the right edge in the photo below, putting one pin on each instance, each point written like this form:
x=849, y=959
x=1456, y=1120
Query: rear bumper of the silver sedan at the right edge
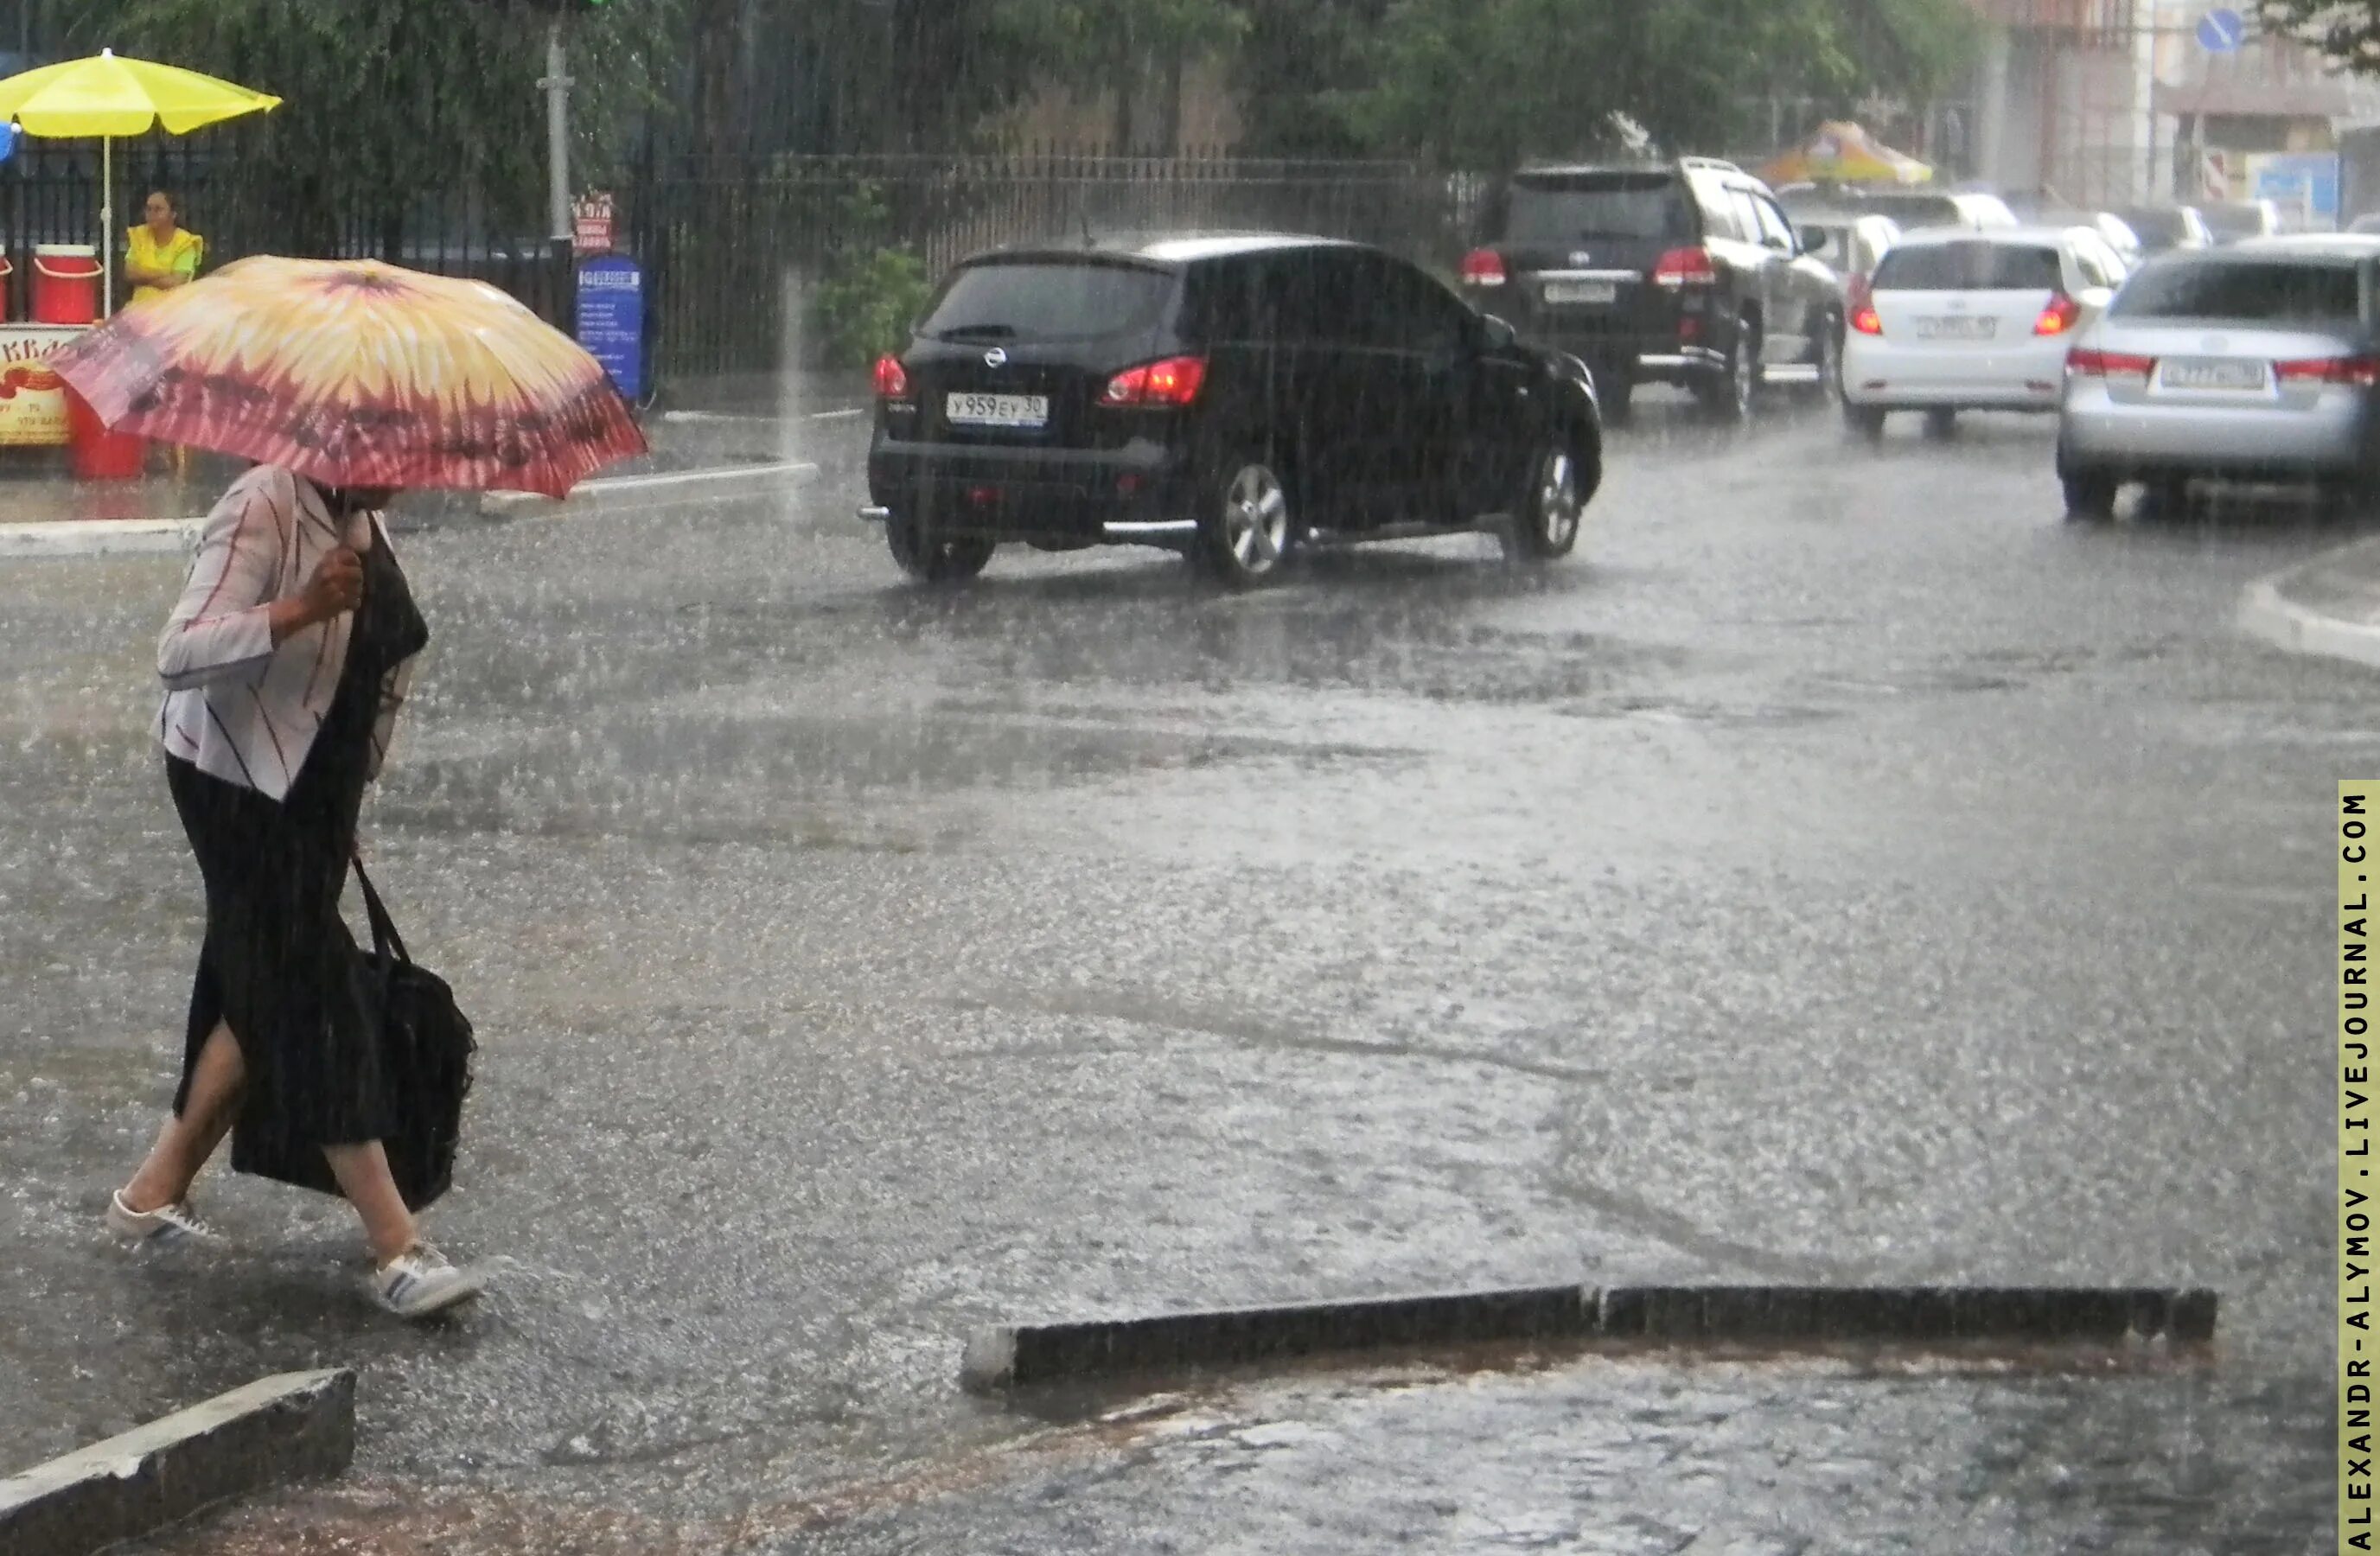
x=2336, y=437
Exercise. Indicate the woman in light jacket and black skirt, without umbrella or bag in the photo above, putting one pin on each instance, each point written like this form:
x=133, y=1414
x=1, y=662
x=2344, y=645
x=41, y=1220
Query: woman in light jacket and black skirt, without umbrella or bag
x=287, y=660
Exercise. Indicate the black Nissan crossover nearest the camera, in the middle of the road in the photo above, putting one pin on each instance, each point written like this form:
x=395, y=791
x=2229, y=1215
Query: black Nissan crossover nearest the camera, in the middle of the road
x=1225, y=396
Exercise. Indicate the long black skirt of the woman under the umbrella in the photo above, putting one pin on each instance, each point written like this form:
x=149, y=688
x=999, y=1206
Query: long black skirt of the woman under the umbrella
x=280, y=967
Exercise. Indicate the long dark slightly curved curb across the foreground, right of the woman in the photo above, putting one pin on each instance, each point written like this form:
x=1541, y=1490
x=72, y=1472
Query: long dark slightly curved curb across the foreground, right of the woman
x=1008, y=1357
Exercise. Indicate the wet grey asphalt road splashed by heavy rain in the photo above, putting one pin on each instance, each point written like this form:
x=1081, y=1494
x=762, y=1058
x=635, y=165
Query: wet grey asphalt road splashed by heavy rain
x=1846, y=870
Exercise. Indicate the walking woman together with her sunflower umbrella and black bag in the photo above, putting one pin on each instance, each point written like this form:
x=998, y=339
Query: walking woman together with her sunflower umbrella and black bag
x=287, y=663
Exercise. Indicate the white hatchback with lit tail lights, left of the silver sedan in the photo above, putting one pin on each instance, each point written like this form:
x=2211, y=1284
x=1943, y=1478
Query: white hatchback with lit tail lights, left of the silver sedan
x=1972, y=320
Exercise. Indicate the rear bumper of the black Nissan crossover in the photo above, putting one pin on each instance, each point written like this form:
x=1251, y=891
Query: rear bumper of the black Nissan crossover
x=1134, y=496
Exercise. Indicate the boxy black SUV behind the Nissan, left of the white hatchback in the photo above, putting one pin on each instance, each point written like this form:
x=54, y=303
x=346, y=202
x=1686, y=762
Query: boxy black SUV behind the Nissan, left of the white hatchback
x=1681, y=272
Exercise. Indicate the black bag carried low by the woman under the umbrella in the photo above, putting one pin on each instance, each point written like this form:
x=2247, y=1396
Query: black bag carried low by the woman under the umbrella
x=427, y=1053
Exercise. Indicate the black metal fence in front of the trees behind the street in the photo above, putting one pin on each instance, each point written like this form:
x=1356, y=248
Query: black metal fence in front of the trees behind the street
x=732, y=249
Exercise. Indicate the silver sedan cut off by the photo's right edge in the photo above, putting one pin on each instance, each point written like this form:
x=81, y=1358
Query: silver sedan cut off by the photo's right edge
x=2255, y=360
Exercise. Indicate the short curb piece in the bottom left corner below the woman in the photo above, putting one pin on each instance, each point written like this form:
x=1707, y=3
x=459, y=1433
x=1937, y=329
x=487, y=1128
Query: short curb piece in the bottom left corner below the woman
x=294, y=1426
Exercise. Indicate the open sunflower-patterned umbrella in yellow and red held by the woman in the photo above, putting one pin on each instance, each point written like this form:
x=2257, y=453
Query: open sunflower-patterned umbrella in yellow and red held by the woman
x=358, y=372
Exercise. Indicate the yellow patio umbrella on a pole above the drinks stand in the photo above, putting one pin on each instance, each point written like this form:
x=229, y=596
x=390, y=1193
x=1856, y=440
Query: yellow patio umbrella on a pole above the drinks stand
x=111, y=96
